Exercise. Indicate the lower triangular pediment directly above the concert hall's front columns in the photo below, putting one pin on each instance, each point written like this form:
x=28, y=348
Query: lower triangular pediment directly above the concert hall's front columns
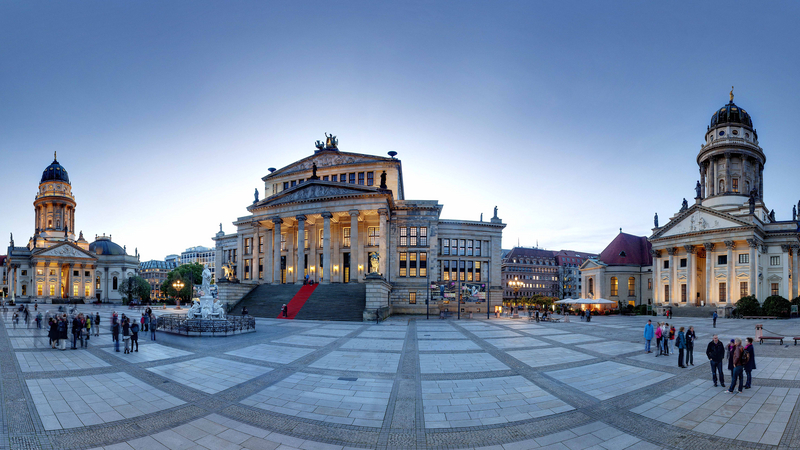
x=318, y=190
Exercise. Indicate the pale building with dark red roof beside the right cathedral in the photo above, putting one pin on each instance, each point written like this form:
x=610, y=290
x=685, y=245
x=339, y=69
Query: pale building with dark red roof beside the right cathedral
x=623, y=272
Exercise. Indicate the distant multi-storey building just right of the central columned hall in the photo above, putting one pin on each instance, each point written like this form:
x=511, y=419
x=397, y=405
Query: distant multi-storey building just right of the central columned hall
x=536, y=268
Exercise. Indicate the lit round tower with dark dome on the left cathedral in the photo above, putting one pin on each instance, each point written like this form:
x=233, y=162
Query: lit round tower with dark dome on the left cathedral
x=54, y=207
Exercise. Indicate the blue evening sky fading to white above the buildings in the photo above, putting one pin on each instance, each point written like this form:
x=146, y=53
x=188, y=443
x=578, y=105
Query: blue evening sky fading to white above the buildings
x=575, y=119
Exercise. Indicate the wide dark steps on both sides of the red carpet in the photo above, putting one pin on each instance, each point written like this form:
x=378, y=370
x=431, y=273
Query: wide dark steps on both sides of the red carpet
x=326, y=302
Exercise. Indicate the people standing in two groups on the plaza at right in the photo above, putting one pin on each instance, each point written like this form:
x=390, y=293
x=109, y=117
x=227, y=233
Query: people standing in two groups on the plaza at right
x=741, y=359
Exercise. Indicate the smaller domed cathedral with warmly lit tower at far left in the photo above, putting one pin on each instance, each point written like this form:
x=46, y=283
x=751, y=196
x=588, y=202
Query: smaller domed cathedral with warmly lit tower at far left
x=56, y=265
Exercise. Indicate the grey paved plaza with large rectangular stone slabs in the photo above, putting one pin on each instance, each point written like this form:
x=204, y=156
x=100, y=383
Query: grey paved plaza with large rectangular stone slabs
x=497, y=384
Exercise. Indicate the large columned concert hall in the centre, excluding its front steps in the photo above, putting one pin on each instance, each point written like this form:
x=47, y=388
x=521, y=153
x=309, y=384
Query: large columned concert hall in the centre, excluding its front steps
x=335, y=217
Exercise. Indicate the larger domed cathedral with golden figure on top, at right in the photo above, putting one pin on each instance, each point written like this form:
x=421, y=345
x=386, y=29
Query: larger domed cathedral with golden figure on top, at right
x=726, y=244
